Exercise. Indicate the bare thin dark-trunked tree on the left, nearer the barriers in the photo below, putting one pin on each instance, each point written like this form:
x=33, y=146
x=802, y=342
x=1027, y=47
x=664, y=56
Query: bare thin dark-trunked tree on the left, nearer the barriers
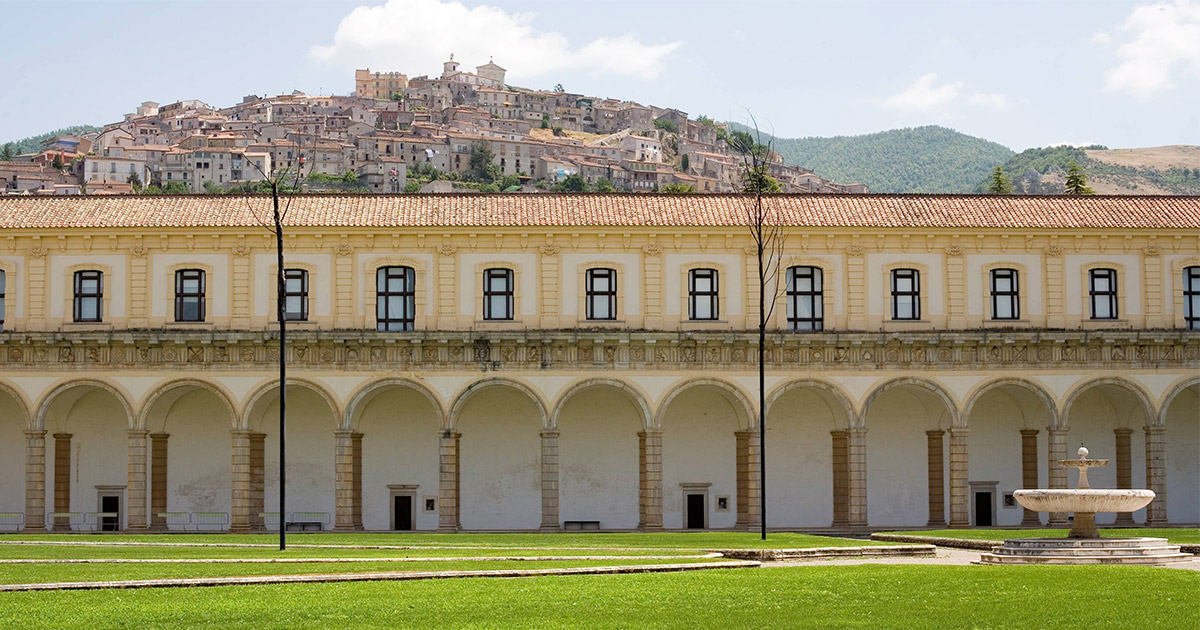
x=277, y=183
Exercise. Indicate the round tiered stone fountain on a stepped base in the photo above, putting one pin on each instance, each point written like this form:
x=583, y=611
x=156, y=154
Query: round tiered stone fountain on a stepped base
x=1084, y=544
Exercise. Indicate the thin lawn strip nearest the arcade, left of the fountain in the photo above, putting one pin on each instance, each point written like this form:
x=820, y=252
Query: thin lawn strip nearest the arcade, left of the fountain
x=683, y=541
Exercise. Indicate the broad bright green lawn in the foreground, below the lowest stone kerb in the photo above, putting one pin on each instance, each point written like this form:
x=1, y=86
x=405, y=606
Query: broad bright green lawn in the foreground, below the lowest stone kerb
x=898, y=597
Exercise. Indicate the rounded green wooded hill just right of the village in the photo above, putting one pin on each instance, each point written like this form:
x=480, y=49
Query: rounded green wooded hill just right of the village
x=928, y=159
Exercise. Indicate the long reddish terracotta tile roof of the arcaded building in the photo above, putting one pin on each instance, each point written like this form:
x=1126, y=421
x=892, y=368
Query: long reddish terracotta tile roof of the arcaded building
x=628, y=209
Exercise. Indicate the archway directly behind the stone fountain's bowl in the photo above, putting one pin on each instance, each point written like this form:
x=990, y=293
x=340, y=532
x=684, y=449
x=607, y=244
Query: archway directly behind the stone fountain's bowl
x=1109, y=418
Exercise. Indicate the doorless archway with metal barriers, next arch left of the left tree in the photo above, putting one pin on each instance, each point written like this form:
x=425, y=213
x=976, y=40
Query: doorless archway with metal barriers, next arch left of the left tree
x=190, y=452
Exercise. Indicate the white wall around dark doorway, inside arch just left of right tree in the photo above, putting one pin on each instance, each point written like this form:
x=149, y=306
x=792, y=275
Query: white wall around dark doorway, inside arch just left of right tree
x=699, y=447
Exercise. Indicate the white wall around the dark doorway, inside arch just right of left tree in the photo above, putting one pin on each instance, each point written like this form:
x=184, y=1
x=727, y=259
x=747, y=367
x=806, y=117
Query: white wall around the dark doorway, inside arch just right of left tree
x=400, y=447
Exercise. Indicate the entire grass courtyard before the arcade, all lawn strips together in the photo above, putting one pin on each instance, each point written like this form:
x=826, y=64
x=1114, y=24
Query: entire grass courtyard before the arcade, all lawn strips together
x=796, y=596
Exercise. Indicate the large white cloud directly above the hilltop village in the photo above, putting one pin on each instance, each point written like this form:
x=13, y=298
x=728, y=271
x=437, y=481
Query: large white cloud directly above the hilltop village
x=416, y=37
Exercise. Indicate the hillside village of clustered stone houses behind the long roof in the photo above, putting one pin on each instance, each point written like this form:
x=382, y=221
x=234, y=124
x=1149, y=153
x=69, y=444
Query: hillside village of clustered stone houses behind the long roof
x=459, y=130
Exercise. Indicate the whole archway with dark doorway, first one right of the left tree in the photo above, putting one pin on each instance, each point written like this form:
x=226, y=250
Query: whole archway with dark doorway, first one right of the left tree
x=400, y=424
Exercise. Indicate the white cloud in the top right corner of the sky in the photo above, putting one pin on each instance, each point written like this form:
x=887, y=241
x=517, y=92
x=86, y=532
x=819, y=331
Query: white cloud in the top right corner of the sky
x=1163, y=37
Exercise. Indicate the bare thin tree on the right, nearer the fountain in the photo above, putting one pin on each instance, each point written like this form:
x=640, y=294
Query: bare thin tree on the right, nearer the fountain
x=763, y=219
